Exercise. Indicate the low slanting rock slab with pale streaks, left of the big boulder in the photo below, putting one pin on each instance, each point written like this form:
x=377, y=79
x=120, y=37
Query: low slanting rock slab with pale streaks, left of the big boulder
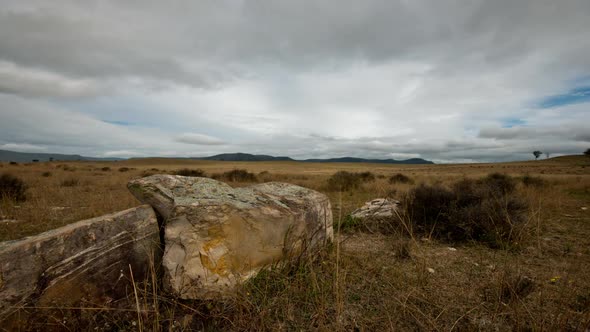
x=85, y=263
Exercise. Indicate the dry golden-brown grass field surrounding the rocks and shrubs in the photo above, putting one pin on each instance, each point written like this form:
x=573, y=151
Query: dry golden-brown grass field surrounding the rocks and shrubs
x=367, y=281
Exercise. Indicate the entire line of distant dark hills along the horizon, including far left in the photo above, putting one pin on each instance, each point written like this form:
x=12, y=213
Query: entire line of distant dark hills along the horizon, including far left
x=25, y=157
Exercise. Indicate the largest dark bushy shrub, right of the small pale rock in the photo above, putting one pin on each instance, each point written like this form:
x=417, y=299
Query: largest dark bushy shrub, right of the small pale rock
x=484, y=210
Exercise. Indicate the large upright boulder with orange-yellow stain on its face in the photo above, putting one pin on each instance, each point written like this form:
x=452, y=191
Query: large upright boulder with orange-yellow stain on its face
x=217, y=237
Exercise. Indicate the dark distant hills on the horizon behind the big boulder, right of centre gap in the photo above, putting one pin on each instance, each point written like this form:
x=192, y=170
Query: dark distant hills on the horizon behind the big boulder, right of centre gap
x=262, y=157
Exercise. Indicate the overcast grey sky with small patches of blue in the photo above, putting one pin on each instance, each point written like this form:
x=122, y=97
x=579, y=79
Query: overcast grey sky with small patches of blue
x=446, y=80
